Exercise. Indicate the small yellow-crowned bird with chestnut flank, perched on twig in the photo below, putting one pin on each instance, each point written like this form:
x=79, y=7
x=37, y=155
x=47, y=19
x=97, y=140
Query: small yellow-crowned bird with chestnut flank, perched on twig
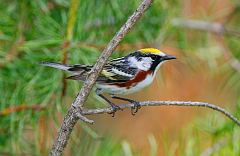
x=120, y=76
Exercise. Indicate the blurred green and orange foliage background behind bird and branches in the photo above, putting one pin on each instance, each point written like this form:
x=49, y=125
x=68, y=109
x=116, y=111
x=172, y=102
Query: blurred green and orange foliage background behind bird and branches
x=34, y=99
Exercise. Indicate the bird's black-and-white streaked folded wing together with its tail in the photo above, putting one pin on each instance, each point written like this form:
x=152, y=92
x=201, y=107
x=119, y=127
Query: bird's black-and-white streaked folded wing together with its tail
x=115, y=71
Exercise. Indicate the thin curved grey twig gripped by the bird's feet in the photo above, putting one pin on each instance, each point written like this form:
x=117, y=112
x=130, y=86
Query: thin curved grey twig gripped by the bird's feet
x=166, y=103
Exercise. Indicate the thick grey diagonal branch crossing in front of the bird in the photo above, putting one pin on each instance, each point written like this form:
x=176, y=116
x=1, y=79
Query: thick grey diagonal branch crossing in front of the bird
x=72, y=115
